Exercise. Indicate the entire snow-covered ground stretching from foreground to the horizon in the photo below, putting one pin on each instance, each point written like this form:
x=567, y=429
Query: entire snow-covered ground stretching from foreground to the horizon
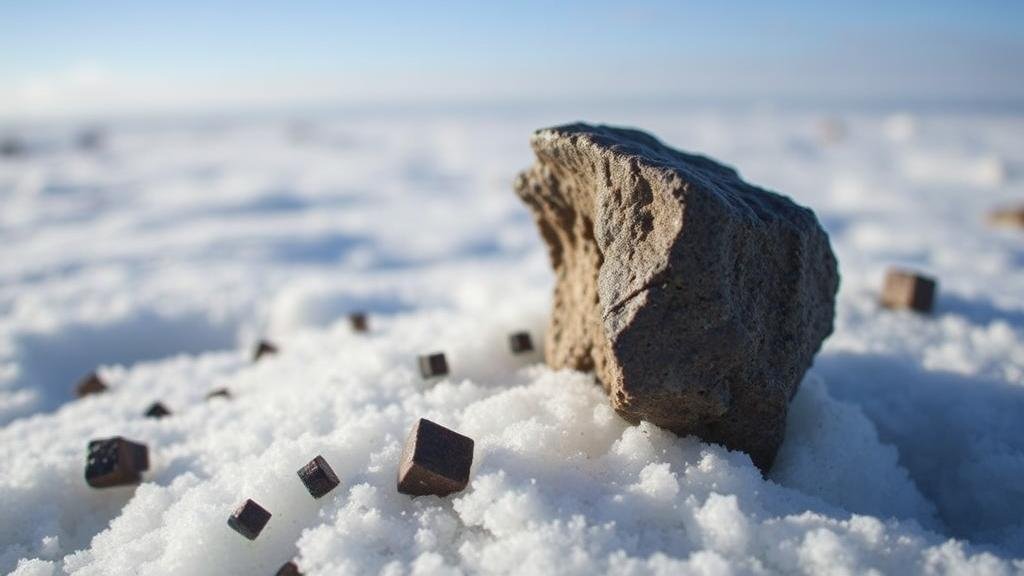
x=161, y=257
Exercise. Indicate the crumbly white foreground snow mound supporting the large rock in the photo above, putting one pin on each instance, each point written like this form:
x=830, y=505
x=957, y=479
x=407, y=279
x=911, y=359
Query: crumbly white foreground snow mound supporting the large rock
x=560, y=482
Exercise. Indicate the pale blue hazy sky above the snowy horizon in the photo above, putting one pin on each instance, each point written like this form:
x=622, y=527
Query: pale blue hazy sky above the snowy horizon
x=73, y=57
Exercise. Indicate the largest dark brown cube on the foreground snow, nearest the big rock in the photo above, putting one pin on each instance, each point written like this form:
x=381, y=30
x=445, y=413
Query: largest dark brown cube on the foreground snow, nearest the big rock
x=436, y=461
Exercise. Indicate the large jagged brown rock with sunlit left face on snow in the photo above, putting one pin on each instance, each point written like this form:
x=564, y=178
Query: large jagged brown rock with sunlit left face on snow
x=700, y=301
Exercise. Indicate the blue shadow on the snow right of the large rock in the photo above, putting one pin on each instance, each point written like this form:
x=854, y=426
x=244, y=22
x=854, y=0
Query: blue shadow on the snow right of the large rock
x=961, y=438
